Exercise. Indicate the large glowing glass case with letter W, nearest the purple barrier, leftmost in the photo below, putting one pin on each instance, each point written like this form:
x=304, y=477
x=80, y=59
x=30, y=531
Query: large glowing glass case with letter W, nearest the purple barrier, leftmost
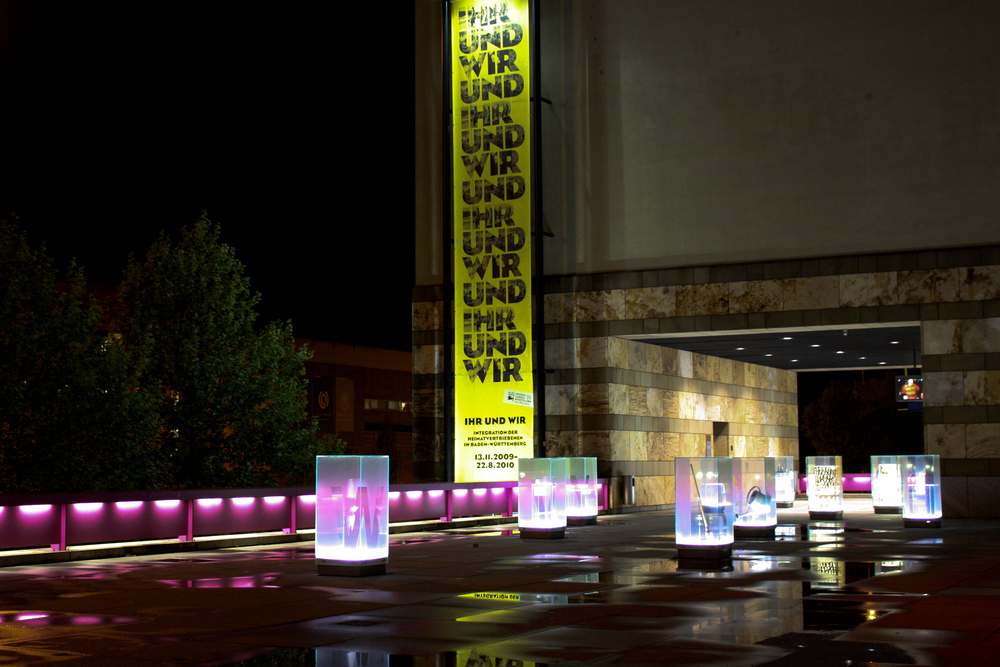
x=352, y=515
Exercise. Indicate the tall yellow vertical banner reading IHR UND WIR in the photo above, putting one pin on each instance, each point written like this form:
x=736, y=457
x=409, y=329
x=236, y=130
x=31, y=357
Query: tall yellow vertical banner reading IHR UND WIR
x=491, y=185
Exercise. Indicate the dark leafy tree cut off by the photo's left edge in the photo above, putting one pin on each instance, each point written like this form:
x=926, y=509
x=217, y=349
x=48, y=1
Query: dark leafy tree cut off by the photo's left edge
x=72, y=414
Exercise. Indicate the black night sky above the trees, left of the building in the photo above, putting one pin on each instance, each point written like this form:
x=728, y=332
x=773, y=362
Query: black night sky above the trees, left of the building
x=122, y=119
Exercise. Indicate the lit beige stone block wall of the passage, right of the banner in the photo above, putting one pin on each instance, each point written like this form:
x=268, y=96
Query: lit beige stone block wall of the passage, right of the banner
x=637, y=406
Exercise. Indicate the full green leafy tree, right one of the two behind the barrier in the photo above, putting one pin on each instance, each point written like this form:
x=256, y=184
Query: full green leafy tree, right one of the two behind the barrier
x=232, y=398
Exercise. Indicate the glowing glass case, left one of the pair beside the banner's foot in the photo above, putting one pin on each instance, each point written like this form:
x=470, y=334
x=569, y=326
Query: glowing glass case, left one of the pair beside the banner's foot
x=541, y=498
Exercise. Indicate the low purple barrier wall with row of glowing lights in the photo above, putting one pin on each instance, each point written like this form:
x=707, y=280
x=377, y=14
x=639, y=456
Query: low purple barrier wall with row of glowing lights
x=62, y=521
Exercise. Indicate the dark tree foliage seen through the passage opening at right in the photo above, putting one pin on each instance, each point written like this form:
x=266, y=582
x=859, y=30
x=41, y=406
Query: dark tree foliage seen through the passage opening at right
x=858, y=420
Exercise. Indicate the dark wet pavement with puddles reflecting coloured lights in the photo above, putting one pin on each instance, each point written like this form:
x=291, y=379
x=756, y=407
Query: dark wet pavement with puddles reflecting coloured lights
x=862, y=591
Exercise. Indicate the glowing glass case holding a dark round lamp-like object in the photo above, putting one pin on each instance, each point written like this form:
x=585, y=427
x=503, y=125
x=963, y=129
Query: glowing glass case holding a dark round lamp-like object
x=754, y=506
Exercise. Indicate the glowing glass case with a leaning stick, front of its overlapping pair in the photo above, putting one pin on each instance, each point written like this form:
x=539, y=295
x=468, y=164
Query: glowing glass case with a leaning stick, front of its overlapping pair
x=704, y=507
